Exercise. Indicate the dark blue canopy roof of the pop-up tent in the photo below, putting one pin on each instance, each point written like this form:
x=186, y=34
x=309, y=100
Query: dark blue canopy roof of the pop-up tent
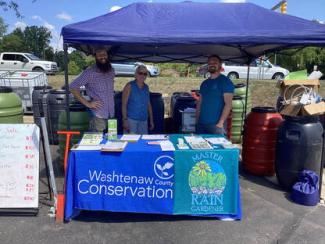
x=189, y=32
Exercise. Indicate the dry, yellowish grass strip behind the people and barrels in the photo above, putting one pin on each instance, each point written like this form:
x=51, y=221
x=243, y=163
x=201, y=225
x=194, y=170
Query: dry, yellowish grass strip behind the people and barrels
x=264, y=92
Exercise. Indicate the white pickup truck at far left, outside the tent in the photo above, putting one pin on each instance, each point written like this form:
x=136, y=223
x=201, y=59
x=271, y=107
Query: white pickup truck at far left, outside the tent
x=16, y=61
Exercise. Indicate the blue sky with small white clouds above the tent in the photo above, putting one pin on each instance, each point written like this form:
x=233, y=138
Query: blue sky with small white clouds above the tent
x=54, y=14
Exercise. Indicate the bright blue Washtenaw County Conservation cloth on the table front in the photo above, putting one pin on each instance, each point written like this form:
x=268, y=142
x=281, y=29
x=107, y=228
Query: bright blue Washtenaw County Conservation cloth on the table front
x=131, y=181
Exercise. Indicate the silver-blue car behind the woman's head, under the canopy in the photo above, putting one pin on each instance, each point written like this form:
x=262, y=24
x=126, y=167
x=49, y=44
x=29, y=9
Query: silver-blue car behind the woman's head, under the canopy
x=128, y=69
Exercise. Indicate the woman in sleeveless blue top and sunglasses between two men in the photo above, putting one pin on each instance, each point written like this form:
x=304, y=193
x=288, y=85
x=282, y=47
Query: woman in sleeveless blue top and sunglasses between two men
x=136, y=107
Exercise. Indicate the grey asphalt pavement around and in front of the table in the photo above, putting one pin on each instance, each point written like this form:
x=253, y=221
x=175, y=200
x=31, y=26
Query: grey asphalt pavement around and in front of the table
x=268, y=217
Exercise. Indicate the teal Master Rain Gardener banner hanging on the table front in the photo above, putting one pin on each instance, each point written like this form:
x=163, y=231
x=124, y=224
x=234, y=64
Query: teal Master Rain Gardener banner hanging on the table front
x=206, y=182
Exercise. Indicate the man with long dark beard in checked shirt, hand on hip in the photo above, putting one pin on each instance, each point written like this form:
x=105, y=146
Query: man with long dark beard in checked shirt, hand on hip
x=99, y=83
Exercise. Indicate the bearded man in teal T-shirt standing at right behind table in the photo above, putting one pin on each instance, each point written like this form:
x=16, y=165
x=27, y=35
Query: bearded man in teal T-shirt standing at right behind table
x=215, y=101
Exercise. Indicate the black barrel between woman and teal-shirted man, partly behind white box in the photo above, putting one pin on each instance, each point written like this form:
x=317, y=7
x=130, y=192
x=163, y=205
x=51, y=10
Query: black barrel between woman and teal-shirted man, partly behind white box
x=179, y=102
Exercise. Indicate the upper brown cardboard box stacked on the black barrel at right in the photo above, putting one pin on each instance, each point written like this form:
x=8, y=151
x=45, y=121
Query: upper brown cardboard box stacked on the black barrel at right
x=287, y=87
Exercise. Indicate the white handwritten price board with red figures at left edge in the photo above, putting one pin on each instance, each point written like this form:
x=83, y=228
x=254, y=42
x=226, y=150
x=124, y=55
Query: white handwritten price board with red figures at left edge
x=19, y=165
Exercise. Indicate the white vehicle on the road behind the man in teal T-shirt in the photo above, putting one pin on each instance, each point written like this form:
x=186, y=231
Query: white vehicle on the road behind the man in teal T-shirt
x=259, y=69
